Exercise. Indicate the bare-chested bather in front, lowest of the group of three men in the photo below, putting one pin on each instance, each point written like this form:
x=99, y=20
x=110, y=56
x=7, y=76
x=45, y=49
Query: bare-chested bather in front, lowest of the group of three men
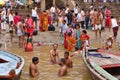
x=63, y=69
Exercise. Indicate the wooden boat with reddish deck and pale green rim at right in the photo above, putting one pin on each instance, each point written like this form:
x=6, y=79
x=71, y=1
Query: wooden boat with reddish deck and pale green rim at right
x=101, y=64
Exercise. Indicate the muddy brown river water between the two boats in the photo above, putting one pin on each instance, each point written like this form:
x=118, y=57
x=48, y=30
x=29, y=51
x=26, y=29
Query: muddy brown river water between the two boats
x=46, y=69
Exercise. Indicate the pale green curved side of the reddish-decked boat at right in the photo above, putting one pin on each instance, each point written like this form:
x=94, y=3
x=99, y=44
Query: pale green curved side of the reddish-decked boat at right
x=97, y=72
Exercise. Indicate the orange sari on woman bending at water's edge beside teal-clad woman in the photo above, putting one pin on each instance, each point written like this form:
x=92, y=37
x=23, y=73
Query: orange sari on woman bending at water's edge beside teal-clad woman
x=71, y=42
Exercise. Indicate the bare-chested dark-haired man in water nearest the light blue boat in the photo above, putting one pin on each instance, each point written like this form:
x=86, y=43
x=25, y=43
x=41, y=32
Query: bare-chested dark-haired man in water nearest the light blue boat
x=33, y=67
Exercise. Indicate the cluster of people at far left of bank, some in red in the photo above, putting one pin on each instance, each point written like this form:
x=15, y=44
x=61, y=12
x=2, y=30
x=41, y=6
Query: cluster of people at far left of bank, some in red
x=23, y=28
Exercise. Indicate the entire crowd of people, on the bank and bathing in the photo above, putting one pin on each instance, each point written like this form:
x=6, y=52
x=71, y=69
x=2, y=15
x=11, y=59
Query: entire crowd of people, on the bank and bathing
x=73, y=26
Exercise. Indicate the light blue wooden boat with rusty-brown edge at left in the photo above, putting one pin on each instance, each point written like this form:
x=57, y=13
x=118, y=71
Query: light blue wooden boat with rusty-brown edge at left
x=10, y=66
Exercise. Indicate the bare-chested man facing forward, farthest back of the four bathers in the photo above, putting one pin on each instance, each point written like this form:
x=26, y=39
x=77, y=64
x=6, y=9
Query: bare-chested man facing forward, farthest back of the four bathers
x=54, y=56
